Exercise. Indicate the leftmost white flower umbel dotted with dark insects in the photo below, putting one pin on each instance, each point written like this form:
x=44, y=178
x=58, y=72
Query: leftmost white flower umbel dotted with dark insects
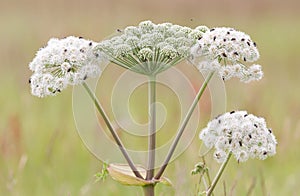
x=63, y=62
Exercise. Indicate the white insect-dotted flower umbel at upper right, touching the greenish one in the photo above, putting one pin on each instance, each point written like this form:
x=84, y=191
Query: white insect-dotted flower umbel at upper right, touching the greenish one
x=227, y=51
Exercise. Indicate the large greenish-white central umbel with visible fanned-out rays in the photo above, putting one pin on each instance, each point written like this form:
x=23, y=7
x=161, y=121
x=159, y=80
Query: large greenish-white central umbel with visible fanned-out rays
x=151, y=48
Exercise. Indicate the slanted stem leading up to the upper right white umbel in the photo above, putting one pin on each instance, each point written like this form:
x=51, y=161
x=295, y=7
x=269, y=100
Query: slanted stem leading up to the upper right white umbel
x=182, y=128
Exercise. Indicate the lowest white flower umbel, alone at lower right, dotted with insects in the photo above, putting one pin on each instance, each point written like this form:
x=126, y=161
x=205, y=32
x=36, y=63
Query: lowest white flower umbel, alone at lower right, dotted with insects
x=243, y=134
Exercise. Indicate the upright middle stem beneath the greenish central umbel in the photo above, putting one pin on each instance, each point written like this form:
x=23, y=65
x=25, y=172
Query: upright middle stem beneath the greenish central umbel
x=152, y=127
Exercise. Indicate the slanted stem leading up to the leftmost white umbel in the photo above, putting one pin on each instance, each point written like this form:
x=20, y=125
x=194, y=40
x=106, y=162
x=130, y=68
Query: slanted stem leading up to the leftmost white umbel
x=112, y=131
